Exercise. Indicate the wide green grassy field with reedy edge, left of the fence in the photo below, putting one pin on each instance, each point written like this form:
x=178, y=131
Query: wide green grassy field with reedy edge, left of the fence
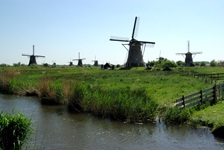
x=128, y=95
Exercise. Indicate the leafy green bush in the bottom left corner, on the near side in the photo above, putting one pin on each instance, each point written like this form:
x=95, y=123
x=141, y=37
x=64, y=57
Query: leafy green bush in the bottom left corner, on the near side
x=14, y=131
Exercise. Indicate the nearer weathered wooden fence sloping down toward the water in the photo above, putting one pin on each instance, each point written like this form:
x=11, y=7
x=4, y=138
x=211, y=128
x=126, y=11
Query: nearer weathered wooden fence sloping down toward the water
x=212, y=95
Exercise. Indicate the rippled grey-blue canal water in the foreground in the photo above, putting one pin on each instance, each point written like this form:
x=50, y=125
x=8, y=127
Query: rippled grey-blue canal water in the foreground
x=56, y=129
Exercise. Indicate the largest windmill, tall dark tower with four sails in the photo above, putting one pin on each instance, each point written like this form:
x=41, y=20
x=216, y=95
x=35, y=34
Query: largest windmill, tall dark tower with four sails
x=135, y=56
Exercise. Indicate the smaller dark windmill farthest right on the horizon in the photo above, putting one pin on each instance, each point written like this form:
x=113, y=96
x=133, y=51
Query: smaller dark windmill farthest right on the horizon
x=188, y=56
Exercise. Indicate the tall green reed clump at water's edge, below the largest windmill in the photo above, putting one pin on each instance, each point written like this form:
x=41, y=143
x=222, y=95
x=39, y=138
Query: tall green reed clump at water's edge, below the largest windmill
x=123, y=104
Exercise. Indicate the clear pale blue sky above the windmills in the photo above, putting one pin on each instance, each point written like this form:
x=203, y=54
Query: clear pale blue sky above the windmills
x=60, y=29
